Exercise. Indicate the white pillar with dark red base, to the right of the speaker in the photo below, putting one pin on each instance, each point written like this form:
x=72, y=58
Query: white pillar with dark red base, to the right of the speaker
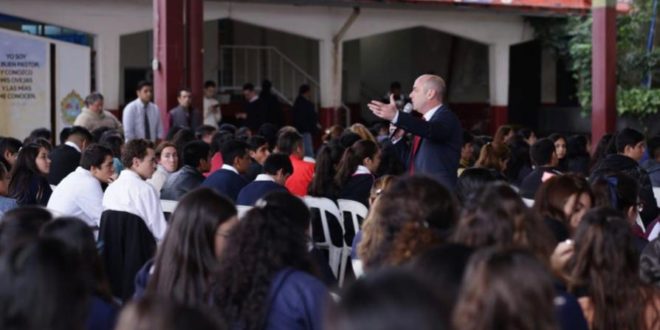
x=498, y=68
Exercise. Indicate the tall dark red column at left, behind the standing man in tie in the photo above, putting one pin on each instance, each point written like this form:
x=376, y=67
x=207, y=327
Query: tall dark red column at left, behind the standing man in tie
x=169, y=52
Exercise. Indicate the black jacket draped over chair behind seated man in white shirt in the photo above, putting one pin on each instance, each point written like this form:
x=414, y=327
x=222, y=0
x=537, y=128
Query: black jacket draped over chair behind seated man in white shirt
x=127, y=245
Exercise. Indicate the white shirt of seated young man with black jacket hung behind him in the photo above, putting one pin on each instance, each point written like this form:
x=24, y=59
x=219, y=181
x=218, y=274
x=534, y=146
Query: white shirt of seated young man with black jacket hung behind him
x=129, y=193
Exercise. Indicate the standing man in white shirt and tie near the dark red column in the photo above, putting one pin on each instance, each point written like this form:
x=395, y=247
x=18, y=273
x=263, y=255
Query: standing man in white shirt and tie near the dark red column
x=141, y=117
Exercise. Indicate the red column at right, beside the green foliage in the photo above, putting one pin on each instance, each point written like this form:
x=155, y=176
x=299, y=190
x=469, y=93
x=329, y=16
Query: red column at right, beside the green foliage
x=603, y=68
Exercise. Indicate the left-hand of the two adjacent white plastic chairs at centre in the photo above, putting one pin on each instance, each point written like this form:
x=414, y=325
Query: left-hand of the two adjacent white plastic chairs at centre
x=327, y=207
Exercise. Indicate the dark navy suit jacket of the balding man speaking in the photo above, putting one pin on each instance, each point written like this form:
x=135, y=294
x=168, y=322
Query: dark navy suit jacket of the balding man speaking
x=440, y=148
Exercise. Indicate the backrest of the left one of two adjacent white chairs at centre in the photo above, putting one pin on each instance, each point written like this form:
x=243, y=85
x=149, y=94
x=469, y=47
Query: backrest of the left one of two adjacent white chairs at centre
x=327, y=229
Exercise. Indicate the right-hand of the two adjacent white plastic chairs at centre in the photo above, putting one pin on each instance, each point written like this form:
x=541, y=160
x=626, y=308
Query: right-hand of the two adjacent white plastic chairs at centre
x=353, y=213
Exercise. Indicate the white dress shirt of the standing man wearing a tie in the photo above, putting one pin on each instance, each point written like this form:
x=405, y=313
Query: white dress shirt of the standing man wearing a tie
x=133, y=119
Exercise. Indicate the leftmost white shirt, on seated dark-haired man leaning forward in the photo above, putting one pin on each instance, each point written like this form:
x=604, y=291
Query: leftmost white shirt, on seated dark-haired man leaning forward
x=78, y=195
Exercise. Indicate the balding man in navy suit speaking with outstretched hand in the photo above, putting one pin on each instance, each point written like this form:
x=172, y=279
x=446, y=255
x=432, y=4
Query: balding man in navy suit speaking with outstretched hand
x=436, y=146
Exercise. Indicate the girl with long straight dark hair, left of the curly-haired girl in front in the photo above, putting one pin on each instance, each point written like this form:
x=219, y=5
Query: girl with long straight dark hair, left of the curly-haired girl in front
x=188, y=258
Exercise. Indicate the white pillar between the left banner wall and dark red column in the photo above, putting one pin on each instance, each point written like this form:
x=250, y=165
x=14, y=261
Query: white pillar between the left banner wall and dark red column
x=108, y=69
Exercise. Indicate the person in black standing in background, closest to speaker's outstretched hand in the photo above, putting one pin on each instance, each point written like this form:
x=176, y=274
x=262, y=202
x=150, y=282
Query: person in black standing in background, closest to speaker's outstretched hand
x=305, y=119
